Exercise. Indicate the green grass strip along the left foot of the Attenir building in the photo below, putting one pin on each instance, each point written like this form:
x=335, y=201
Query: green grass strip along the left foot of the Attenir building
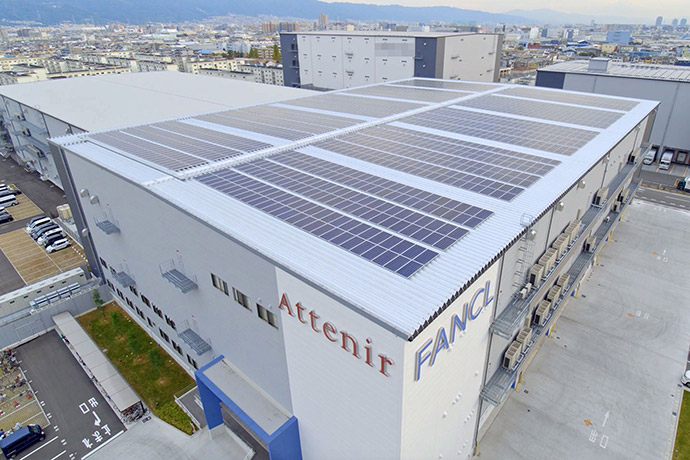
x=153, y=374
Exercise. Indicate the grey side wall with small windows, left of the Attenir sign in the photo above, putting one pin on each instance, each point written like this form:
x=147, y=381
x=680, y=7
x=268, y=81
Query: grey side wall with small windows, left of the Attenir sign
x=152, y=233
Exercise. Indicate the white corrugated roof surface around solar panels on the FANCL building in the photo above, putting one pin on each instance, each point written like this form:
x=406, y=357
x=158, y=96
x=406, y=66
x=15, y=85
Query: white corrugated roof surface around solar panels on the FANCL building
x=380, y=293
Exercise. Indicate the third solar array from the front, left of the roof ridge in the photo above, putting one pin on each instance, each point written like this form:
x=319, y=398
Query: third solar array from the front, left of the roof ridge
x=355, y=105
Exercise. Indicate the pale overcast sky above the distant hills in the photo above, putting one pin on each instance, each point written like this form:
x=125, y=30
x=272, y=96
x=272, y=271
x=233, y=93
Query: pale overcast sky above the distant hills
x=669, y=9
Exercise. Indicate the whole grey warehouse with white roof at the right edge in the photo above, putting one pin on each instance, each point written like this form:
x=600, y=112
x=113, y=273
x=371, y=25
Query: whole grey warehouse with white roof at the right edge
x=668, y=84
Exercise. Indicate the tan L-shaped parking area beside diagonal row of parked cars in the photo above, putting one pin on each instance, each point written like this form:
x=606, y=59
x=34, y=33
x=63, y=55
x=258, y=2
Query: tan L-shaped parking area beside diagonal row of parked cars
x=32, y=262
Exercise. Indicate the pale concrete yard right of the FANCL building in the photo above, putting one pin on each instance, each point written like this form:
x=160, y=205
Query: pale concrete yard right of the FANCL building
x=606, y=383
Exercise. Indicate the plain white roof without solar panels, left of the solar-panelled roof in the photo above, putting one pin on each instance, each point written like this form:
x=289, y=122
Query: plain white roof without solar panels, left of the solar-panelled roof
x=110, y=101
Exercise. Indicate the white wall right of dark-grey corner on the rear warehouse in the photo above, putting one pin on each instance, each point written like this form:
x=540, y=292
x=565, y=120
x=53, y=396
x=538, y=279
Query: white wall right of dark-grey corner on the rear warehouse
x=470, y=57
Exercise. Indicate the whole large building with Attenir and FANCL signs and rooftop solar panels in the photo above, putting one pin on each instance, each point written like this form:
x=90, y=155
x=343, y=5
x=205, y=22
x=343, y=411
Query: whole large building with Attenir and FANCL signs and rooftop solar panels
x=363, y=273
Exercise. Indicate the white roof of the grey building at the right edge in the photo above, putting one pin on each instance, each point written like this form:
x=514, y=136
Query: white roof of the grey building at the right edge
x=625, y=69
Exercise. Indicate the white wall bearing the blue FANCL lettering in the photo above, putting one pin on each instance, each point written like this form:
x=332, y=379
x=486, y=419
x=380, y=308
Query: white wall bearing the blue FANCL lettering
x=442, y=407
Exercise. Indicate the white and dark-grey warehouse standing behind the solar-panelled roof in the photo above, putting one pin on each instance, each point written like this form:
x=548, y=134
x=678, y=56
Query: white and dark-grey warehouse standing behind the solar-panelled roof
x=340, y=59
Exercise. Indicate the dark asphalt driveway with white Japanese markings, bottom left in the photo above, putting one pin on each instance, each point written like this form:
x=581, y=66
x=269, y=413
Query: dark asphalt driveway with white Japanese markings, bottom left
x=81, y=420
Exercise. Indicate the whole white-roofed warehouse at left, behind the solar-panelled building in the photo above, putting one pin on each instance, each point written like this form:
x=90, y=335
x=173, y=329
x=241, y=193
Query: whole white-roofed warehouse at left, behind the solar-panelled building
x=32, y=113
